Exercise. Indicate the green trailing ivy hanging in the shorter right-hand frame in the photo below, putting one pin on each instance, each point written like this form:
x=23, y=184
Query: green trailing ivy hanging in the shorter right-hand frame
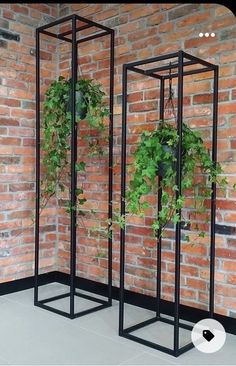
x=157, y=151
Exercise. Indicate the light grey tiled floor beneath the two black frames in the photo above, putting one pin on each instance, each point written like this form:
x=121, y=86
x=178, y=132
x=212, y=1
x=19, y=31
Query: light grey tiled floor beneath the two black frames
x=33, y=336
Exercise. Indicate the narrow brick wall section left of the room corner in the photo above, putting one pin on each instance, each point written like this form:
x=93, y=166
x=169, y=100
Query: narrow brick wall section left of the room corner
x=17, y=140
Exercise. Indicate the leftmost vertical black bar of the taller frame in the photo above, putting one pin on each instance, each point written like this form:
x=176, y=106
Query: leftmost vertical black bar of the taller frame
x=37, y=208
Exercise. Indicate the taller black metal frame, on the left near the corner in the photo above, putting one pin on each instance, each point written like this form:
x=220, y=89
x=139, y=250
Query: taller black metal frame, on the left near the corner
x=65, y=36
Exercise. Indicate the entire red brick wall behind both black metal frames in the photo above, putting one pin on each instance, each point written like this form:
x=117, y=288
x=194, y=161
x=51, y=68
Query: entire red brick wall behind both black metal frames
x=142, y=31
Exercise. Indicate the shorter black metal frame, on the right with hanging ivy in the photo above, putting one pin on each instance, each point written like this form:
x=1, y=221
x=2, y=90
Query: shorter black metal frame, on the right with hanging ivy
x=183, y=60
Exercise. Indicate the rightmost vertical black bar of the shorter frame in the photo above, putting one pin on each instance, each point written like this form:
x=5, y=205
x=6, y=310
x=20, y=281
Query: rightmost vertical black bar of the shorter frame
x=213, y=194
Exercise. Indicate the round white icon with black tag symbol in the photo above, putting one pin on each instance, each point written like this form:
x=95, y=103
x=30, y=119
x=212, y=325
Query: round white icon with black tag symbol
x=208, y=335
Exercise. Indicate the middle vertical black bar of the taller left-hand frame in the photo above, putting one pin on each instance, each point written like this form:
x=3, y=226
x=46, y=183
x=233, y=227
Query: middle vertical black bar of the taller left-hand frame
x=73, y=170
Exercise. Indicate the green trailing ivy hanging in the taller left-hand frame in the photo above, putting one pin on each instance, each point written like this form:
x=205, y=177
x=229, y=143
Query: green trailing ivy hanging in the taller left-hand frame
x=57, y=132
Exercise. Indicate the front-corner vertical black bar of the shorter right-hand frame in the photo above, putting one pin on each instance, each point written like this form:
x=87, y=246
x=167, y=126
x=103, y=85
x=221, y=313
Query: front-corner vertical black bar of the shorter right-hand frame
x=178, y=193
